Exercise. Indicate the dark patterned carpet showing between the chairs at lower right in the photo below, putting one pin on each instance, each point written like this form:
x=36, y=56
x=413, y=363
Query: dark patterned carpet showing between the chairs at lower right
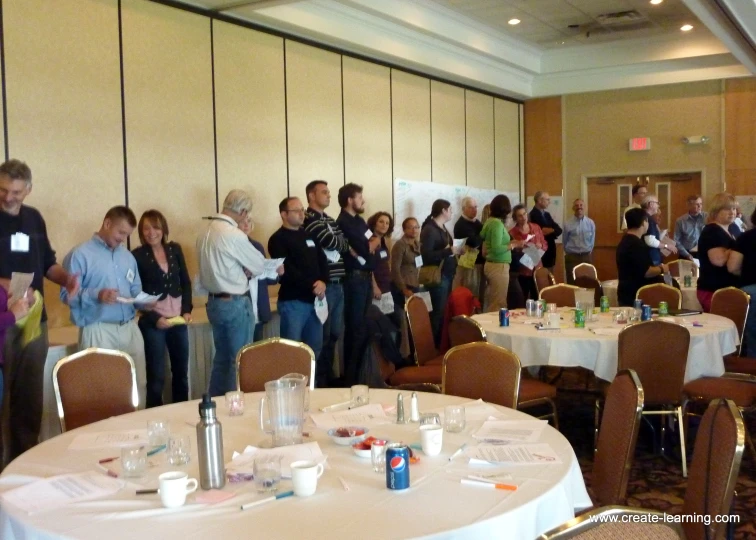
x=656, y=482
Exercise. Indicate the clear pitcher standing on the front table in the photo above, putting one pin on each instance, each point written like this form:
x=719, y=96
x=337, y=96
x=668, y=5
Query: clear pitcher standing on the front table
x=284, y=401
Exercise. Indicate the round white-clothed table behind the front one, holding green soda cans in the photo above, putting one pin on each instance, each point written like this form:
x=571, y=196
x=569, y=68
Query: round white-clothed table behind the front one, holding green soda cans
x=595, y=346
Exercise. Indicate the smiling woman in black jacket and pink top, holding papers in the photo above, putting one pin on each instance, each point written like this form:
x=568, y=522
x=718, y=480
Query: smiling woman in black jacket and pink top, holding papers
x=163, y=271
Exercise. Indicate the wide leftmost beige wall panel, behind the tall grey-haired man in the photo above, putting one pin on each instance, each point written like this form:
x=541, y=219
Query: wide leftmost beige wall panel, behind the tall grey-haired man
x=64, y=115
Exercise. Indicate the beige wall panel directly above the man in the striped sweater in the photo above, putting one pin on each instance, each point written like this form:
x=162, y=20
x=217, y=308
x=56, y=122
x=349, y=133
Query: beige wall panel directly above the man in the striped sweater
x=316, y=145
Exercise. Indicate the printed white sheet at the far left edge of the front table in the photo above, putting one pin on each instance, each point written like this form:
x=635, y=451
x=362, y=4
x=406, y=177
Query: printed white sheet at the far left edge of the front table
x=56, y=491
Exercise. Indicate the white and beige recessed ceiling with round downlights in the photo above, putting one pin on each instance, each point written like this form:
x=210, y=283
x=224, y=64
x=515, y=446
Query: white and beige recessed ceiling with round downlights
x=559, y=46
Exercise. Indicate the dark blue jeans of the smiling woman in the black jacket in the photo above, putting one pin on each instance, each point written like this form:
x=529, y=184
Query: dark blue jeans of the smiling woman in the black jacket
x=176, y=339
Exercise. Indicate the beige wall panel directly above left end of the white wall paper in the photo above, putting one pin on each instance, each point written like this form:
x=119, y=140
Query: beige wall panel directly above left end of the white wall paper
x=410, y=104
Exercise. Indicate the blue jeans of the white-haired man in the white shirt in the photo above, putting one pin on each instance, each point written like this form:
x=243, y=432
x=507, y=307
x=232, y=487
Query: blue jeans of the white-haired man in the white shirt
x=232, y=321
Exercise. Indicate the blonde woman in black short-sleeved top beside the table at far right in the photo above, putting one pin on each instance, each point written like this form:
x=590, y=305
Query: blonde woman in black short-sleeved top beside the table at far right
x=714, y=247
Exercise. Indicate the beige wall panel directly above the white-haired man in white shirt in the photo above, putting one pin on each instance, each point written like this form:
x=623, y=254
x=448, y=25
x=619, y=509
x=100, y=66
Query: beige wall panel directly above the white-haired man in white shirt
x=251, y=121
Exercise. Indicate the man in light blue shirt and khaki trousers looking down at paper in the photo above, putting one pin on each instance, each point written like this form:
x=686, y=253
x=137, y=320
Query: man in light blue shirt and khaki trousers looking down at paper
x=109, y=275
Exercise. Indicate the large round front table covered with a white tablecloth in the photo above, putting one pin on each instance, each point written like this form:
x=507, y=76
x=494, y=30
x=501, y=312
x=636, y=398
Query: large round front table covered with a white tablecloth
x=436, y=505
